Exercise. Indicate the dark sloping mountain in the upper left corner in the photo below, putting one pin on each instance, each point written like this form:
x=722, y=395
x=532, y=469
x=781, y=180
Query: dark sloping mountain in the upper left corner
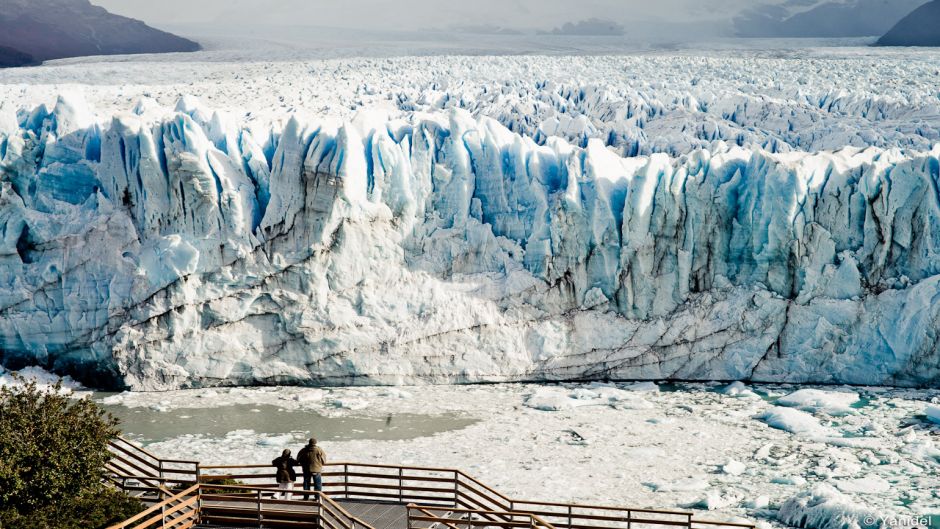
x=53, y=29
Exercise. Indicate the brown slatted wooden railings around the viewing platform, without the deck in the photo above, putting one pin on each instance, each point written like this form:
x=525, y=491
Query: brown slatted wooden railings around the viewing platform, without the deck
x=433, y=489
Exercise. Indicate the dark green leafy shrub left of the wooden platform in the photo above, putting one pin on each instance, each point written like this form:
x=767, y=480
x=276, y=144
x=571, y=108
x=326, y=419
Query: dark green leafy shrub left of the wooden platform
x=53, y=449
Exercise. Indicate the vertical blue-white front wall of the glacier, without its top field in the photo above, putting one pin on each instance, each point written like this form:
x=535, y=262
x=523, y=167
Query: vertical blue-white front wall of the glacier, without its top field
x=180, y=249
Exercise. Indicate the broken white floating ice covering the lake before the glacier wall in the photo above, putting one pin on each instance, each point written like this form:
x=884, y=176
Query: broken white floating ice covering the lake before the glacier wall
x=696, y=447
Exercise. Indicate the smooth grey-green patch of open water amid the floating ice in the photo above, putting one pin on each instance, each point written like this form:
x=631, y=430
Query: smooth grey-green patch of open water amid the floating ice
x=150, y=426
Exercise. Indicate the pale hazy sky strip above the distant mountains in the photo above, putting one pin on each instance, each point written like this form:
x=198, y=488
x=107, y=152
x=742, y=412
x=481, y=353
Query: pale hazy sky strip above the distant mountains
x=417, y=14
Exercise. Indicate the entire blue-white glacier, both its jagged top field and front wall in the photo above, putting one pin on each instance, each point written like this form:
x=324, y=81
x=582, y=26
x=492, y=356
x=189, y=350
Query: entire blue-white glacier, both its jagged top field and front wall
x=461, y=219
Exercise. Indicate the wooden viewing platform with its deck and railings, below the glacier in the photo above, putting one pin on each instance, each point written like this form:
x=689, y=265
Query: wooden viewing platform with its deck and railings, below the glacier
x=186, y=494
